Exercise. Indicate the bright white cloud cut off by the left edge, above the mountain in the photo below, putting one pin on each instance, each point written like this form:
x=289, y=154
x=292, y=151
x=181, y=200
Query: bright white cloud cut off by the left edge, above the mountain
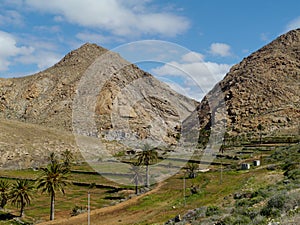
x=9, y=49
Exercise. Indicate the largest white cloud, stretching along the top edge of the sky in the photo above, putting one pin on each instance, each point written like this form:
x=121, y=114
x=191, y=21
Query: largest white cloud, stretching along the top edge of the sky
x=115, y=16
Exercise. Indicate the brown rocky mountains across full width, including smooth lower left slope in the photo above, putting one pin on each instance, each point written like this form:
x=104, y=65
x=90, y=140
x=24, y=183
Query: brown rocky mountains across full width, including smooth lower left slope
x=93, y=92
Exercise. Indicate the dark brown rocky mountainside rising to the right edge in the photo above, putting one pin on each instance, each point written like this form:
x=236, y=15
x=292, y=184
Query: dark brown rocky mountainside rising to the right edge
x=262, y=89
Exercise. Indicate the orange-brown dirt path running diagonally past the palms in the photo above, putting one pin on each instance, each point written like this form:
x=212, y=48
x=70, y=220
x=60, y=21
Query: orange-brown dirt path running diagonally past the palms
x=116, y=214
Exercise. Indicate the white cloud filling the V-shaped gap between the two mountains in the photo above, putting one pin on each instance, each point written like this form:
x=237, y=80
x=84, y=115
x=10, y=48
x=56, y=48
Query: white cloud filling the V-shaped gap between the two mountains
x=196, y=78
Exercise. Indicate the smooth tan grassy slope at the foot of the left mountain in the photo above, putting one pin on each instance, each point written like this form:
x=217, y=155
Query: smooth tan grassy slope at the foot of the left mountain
x=24, y=145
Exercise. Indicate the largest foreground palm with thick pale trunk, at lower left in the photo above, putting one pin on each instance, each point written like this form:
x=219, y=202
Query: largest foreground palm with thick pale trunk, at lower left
x=53, y=178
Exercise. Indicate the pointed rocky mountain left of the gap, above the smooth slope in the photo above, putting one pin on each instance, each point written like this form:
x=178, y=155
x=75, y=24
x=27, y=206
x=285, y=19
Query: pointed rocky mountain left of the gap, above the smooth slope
x=46, y=98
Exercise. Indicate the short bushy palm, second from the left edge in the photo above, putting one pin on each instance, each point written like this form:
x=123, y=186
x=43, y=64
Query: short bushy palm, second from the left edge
x=21, y=194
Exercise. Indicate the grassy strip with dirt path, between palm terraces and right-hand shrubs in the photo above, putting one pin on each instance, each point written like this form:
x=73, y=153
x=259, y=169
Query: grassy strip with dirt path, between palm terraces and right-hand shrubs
x=167, y=201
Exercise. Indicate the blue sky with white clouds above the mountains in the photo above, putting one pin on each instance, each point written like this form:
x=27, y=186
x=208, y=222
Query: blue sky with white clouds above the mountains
x=35, y=34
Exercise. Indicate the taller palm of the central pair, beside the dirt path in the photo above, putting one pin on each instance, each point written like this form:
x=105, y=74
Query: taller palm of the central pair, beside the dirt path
x=146, y=157
